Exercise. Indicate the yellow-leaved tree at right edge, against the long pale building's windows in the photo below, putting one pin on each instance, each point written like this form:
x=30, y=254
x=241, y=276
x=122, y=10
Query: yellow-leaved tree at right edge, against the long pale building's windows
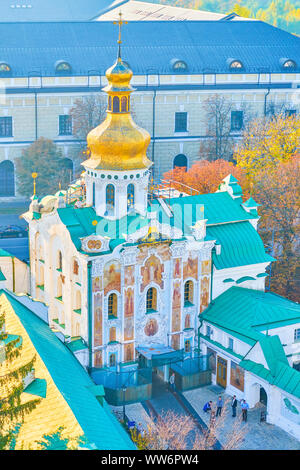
x=268, y=142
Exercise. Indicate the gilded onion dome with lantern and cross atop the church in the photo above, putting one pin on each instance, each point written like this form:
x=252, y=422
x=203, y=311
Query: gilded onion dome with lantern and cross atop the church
x=118, y=143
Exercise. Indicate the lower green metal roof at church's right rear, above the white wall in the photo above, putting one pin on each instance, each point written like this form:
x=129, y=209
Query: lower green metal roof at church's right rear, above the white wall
x=240, y=245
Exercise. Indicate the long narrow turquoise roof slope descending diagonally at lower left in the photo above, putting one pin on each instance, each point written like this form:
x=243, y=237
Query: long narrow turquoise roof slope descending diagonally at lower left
x=100, y=428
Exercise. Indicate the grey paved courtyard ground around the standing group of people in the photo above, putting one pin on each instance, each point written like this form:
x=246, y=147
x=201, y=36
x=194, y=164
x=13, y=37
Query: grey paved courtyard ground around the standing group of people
x=258, y=436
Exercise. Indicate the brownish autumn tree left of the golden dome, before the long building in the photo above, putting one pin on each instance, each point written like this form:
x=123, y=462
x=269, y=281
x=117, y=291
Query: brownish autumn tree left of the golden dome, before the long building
x=44, y=158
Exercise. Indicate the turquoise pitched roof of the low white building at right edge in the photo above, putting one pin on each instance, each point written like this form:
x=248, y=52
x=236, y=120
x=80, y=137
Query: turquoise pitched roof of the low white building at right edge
x=248, y=312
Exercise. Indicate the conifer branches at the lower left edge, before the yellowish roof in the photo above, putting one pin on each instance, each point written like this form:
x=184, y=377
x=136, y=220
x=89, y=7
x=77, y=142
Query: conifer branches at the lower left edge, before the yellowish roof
x=12, y=409
